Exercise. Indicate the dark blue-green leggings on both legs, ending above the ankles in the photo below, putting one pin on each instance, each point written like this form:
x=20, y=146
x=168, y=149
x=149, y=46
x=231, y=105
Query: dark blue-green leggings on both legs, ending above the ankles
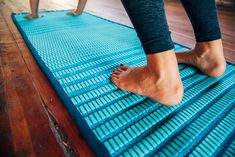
x=149, y=20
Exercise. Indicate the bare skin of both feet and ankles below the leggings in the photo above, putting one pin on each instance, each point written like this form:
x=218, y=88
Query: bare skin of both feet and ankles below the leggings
x=159, y=79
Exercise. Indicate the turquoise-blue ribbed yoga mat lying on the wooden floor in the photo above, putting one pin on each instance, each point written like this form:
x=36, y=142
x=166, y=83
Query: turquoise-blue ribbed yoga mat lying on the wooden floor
x=78, y=54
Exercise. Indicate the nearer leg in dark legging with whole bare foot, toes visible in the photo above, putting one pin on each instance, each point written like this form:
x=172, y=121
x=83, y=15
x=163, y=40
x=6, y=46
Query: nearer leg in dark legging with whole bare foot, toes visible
x=159, y=79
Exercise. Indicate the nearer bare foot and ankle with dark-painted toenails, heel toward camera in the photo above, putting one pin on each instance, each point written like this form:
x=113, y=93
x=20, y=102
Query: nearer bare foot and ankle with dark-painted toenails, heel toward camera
x=158, y=80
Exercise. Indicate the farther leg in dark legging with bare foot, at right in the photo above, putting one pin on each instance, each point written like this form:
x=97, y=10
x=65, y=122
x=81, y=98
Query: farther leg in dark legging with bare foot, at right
x=207, y=54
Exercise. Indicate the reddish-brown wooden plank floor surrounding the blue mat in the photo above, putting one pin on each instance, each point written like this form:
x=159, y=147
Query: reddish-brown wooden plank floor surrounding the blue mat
x=33, y=121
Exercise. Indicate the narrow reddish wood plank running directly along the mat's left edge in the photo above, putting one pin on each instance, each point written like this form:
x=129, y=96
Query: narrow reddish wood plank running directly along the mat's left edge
x=52, y=102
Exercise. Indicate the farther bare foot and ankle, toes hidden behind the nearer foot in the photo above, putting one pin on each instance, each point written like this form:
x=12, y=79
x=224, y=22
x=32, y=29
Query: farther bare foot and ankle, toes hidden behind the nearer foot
x=207, y=56
